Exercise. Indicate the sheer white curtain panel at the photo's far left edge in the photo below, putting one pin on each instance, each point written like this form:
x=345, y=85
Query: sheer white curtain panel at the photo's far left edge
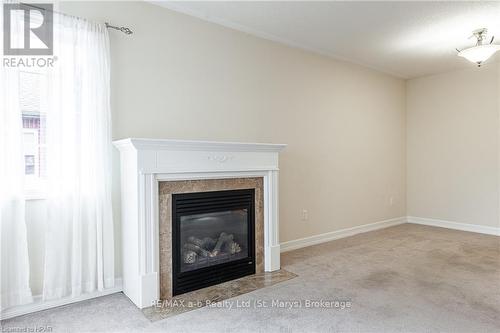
x=14, y=263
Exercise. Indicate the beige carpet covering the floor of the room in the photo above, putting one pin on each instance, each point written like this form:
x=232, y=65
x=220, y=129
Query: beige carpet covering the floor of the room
x=407, y=278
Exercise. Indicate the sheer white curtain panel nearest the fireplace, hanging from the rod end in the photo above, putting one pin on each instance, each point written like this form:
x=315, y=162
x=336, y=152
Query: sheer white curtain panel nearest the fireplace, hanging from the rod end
x=79, y=256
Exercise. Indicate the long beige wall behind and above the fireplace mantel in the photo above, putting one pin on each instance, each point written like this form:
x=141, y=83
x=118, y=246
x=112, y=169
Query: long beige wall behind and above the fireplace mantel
x=180, y=77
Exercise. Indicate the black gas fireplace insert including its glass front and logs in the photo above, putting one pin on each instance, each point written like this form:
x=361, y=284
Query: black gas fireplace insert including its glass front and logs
x=213, y=238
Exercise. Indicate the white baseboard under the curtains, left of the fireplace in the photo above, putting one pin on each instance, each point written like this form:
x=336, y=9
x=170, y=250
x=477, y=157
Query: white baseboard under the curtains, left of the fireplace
x=39, y=305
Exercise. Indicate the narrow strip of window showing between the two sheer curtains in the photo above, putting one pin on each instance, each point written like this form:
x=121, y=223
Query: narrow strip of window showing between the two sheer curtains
x=32, y=83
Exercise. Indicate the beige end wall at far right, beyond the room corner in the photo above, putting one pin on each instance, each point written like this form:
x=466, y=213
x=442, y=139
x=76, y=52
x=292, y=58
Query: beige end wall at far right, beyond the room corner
x=452, y=146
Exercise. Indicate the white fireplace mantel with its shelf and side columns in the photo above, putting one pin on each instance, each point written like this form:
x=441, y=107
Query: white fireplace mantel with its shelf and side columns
x=146, y=162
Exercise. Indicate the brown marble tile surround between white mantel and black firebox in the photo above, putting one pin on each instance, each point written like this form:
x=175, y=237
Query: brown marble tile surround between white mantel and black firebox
x=167, y=188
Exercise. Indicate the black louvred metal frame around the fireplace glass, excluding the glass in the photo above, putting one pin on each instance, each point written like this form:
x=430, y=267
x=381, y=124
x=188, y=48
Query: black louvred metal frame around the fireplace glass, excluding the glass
x=207, y=202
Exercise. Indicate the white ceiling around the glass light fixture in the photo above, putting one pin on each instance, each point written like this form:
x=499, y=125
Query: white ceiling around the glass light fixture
x=406, y=39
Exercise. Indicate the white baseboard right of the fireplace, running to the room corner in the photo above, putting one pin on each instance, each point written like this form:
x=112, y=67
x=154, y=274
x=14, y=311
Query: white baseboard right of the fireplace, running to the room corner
x=329, y=236
